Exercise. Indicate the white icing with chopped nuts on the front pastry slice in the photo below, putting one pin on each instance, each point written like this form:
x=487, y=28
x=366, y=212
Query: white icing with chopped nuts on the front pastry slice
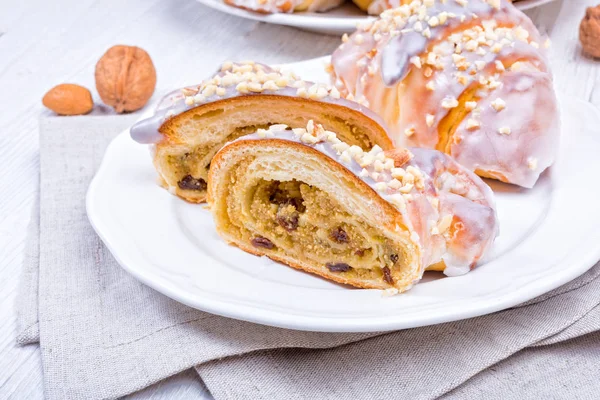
x=448, y=210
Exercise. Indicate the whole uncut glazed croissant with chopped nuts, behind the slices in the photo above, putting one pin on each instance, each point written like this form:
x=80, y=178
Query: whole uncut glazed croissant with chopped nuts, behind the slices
x=466, y=77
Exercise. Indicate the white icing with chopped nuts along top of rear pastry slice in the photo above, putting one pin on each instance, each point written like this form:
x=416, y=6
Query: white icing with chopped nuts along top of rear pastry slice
x=234, y=80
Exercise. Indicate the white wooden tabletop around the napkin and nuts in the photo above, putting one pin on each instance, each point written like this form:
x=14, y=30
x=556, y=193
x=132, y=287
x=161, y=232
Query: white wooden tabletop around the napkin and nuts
x=44, y=43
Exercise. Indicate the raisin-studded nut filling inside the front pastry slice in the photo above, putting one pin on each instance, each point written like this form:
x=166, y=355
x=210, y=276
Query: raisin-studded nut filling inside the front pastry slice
x=292, y=217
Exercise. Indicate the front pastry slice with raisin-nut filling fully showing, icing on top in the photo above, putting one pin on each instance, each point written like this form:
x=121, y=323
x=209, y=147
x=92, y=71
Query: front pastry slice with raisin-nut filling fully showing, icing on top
x=371, y=219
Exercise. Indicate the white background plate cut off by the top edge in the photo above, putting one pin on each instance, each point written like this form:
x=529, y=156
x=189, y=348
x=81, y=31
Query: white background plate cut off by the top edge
x=340, y=20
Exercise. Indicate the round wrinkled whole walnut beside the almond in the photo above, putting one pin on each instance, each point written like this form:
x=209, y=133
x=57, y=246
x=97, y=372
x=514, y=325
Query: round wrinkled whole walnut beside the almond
x=125, y=78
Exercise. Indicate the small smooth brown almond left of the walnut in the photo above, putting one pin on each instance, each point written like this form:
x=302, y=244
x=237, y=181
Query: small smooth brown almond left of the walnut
x=69, y=99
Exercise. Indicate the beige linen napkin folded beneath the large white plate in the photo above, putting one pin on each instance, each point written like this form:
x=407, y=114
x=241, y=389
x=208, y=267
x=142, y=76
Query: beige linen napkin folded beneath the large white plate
x=103, y=334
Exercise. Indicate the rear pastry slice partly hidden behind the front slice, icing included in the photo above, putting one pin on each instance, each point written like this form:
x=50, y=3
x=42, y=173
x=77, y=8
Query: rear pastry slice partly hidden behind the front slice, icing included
x=190, y=125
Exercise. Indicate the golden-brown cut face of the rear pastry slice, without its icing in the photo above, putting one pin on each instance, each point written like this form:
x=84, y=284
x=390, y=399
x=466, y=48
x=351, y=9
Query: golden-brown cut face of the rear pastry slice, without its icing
x=211, y=125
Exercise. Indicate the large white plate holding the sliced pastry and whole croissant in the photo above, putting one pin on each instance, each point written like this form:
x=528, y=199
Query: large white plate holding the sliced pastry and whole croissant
x=549, y=235
